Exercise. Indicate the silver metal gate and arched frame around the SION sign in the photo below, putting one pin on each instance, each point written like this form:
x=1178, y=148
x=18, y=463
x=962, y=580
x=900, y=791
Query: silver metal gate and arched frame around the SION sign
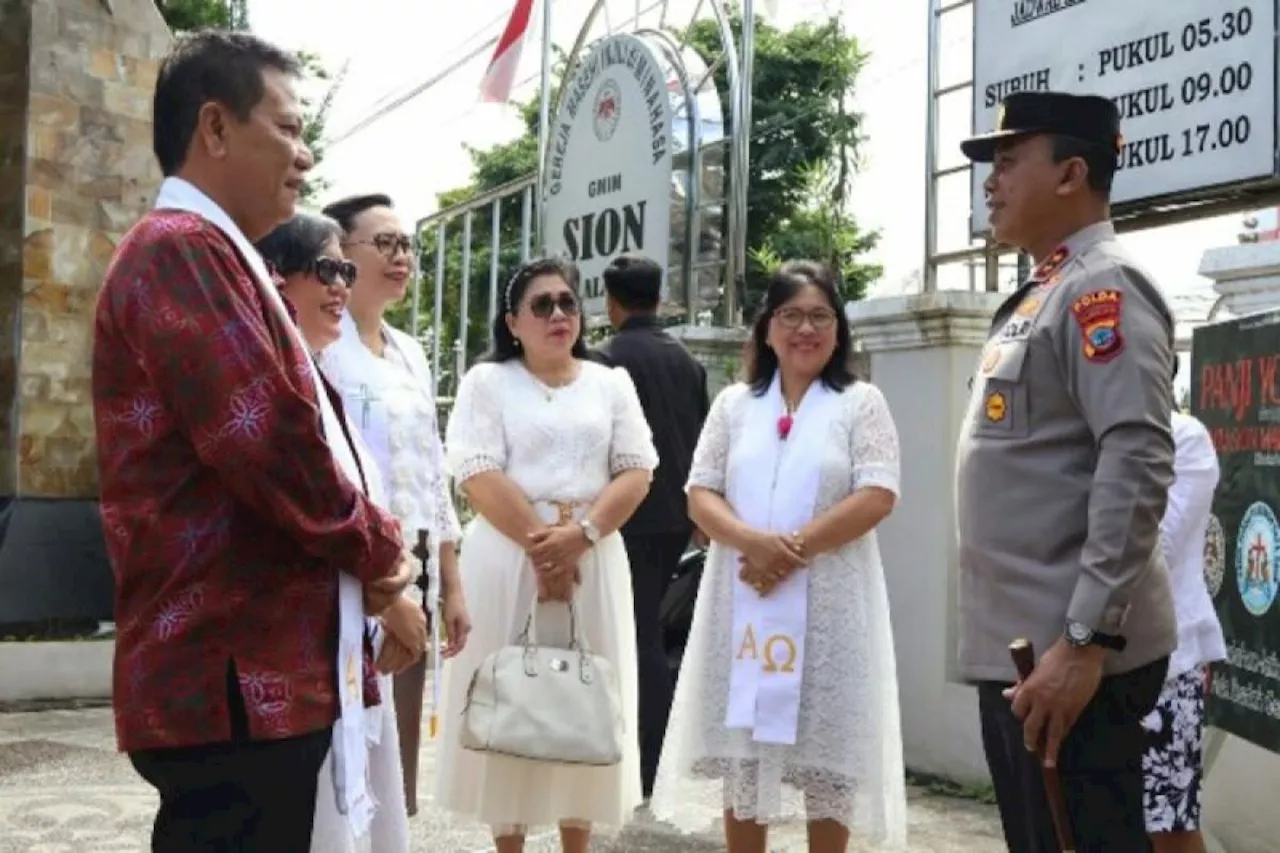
x=712, y=225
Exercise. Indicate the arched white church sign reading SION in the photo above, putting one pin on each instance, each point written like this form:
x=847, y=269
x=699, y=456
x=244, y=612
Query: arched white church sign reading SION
x=609, y=174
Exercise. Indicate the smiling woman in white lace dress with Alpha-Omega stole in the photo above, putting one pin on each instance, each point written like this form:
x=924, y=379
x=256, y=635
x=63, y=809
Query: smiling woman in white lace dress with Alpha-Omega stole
x=788, y=699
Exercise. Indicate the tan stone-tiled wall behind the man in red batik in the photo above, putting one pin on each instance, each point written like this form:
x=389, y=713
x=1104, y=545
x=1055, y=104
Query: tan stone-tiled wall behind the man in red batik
x=86, y=174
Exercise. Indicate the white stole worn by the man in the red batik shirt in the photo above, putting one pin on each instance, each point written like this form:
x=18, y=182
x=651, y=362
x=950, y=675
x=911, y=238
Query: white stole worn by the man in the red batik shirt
x=350, y=750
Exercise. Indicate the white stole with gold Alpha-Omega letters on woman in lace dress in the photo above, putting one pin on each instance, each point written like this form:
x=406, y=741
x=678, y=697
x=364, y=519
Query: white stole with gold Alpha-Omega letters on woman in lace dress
x=774, y=486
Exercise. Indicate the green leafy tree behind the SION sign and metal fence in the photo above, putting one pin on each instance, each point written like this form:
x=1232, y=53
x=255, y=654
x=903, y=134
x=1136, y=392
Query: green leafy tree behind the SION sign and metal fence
x=804, y=153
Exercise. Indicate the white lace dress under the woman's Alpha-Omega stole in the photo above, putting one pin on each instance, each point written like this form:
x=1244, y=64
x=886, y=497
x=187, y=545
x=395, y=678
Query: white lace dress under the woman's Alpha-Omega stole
x=847, y=764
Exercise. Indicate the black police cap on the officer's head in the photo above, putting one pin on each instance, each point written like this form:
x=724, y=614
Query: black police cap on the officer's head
x=1087, y=118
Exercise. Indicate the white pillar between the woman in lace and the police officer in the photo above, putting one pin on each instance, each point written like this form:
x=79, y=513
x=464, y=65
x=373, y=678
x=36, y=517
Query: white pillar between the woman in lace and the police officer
x=922, y=353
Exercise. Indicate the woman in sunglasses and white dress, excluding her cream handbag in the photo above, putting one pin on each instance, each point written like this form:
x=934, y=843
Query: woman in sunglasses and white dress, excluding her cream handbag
x=554, y=453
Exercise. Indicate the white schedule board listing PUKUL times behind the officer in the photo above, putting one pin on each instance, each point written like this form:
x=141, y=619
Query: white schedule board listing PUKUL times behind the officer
x=1195, y=83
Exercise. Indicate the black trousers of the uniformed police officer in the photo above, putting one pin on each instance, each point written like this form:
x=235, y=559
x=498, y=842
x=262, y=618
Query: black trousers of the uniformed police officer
x=1100, y=767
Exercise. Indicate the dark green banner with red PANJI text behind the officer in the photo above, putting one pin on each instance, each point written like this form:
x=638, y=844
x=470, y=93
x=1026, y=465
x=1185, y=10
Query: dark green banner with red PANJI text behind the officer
x=1236, y=393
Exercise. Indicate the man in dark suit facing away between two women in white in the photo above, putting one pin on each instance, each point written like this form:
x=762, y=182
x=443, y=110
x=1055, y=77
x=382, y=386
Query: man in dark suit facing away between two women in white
x=673, y=389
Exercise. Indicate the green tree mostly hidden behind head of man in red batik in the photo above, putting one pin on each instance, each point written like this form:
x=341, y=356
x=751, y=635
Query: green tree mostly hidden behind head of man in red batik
x=189, y=16
